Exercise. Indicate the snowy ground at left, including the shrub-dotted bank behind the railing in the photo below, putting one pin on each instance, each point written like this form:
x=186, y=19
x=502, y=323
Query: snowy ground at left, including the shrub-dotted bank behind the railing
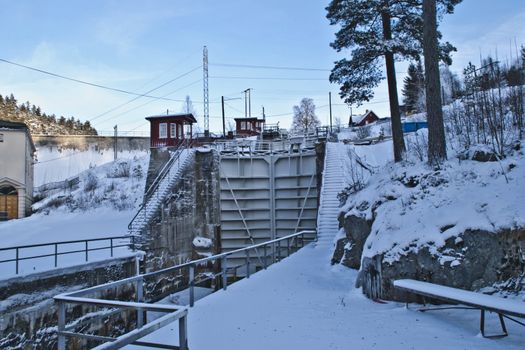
x=101, y=205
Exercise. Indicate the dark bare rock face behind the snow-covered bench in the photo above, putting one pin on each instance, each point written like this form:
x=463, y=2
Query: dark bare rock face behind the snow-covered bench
x=472, y=261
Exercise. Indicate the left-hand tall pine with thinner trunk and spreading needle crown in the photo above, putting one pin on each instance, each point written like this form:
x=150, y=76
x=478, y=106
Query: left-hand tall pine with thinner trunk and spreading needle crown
x=398, y=33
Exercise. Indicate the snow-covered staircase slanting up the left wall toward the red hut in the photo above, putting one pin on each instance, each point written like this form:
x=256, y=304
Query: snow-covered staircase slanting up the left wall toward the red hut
x=160, y=187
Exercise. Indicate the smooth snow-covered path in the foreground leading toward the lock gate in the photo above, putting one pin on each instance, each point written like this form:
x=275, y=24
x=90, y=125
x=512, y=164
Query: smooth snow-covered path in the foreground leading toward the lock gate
x=304, y=303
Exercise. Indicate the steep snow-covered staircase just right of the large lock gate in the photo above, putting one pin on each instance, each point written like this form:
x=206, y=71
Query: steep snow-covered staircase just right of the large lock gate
x=333, y=182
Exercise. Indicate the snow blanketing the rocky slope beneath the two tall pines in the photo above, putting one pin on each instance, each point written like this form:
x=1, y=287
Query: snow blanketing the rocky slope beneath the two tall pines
x=445, y=203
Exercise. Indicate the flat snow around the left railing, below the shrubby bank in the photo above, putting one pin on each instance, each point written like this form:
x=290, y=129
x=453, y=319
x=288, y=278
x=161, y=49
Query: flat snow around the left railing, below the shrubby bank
x=61, y=226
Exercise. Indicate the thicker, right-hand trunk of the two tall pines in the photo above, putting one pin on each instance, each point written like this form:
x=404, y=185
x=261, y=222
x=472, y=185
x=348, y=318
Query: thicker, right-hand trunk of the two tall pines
x=437, y=148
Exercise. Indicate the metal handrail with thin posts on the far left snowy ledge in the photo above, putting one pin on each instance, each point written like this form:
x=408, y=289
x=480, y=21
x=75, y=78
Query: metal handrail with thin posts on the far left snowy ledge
x=56, y=253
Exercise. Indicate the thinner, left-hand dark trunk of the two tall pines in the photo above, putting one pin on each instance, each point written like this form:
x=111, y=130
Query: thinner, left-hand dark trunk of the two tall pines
x=395, y=116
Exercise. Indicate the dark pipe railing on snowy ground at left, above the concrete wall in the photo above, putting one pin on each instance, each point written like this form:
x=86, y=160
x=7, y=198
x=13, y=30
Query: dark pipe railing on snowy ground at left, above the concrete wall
x=114, y=243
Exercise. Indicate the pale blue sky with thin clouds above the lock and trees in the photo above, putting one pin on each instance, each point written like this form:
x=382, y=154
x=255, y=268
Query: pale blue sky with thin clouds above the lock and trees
x=138, y=46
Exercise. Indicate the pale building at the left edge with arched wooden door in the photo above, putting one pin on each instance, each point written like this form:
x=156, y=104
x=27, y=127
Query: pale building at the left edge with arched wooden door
x=16, y=170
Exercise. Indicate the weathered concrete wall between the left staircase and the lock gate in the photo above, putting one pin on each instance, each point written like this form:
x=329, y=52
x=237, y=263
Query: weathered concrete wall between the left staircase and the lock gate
x=189, y=211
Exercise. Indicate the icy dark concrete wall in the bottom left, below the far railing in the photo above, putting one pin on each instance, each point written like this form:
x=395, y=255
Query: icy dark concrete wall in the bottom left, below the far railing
x=29, y=316
